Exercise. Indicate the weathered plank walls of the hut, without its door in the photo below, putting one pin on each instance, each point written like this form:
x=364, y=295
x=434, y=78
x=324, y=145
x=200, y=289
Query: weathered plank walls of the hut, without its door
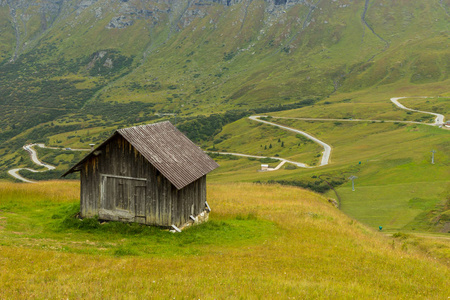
x=165, y=205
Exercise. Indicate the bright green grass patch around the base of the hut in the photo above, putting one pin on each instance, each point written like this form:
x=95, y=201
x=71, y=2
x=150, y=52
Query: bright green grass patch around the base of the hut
x=44, y=220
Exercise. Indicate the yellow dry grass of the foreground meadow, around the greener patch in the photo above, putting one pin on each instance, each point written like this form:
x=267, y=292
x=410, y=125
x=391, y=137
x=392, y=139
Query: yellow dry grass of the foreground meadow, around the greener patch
x=317, y=253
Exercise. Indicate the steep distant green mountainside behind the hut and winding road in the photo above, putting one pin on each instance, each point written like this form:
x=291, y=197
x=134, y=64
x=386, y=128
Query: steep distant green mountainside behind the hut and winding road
x=71, y=66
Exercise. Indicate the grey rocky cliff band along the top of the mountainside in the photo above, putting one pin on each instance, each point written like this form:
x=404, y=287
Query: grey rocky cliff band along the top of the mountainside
x=31, y=18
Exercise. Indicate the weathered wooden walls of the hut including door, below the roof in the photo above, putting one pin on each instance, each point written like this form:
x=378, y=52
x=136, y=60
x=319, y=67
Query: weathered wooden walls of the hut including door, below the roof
x=120, y=170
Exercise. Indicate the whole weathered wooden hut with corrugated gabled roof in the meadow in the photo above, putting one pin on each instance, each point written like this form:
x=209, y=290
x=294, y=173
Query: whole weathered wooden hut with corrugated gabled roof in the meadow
x=151, y=174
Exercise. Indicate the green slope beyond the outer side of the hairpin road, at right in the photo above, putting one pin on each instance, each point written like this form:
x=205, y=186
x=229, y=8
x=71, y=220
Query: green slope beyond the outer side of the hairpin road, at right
x=398, y=187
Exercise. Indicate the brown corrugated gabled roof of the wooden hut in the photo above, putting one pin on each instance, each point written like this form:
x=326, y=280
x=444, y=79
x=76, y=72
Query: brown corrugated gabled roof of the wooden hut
x=168, y=150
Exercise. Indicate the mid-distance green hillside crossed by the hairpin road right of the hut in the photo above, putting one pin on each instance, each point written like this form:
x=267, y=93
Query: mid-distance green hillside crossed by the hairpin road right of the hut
x=397, y=186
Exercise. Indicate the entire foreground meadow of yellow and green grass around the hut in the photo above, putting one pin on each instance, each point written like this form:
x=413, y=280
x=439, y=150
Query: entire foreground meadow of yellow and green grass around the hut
x=263, y=241
